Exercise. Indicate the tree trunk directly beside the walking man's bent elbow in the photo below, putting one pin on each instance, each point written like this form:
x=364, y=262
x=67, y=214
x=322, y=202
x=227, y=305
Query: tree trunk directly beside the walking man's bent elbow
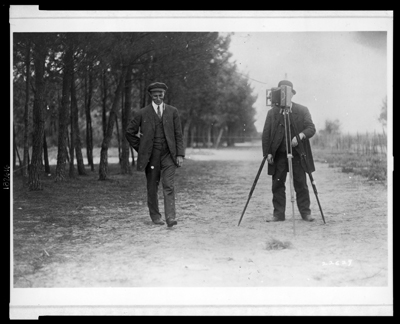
x=126, y=116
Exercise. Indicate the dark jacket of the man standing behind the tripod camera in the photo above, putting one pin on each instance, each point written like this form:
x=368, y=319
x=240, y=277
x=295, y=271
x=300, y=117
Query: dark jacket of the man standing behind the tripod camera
x=272, y=136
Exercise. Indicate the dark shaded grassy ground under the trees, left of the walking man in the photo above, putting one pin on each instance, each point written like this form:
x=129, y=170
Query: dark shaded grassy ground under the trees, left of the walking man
x=45, y=221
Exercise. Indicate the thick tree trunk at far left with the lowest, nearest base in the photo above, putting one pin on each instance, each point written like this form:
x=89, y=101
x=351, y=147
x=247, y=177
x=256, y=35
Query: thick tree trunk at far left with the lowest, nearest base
x=38, y=116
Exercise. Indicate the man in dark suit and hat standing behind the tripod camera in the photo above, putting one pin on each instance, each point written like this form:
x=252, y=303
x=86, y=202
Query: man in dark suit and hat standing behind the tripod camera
x=274, y=148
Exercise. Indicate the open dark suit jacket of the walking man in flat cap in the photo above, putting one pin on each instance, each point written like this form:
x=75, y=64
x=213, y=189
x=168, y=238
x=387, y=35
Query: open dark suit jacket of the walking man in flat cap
x=143, y=121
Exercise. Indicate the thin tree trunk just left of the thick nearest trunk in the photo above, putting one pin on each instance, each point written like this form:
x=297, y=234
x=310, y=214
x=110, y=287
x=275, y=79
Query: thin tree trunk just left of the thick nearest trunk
x=26, y=112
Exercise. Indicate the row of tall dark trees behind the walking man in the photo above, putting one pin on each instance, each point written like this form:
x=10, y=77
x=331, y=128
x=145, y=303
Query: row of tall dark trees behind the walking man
x=76, y=90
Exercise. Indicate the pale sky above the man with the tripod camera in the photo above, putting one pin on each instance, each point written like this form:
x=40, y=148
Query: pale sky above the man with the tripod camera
x=337, y=75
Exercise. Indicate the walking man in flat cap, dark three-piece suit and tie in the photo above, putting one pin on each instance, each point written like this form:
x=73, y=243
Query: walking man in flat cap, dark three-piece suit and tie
x=155, y=133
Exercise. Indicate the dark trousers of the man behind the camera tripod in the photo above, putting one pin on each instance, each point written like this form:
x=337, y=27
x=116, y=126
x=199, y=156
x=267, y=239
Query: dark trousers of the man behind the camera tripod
x=279, y=188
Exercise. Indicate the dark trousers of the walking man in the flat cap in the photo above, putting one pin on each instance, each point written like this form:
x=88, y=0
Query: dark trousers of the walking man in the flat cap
x=161, y=167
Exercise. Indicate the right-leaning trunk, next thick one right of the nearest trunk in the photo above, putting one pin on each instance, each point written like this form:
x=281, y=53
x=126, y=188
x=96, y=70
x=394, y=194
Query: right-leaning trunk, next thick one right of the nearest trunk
x=63, y=115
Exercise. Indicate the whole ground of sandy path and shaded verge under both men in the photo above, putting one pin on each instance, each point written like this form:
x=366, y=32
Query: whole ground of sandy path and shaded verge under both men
x=87, y=233
